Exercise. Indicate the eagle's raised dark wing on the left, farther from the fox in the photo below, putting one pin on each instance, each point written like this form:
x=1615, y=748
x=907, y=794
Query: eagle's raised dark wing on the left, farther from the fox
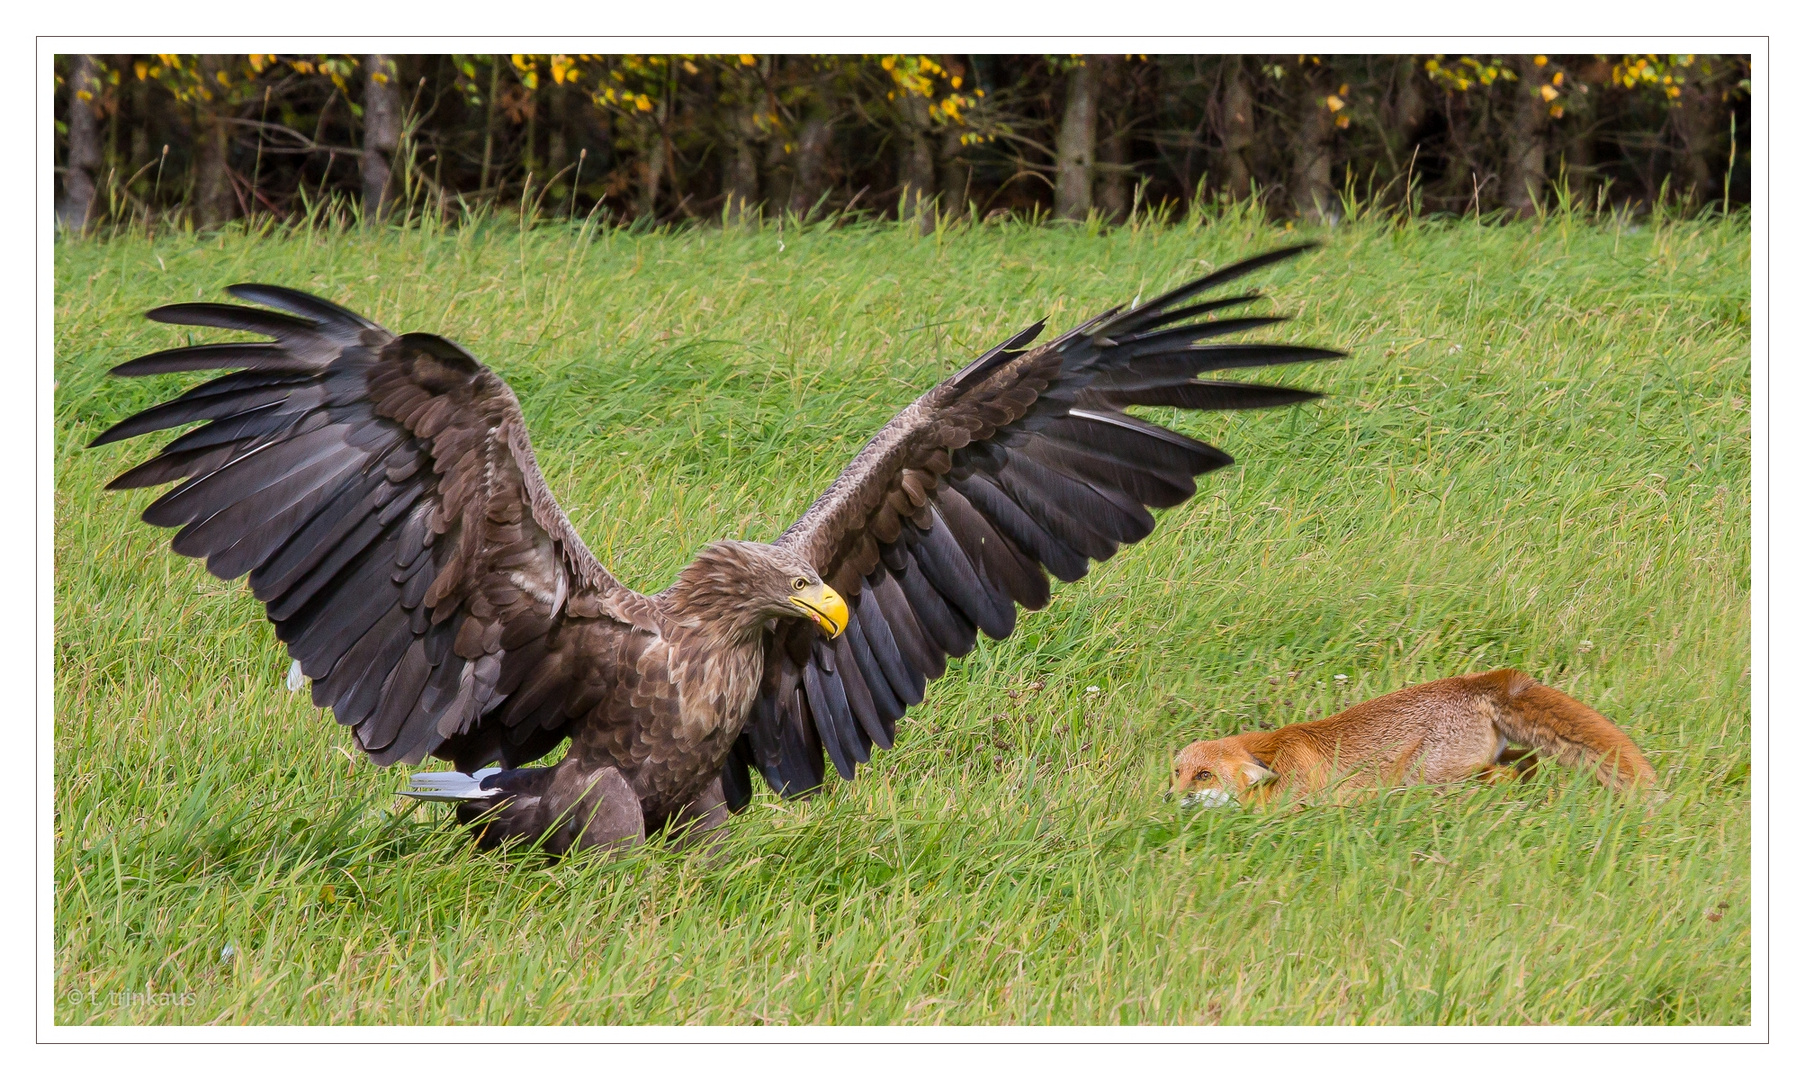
x=384, y=498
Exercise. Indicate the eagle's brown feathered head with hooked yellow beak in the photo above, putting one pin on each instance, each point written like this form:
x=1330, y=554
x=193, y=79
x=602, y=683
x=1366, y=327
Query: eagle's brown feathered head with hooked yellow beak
x=739, y=586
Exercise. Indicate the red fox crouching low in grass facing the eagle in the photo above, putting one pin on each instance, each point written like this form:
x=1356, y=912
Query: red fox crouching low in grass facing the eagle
x=1434, y=732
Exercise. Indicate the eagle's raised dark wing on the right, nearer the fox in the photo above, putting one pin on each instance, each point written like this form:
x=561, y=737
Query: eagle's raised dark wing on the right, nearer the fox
x=1024, y=463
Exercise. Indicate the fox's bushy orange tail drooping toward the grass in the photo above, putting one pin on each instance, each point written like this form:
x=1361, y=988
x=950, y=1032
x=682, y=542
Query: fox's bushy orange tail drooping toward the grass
x=1568, y=731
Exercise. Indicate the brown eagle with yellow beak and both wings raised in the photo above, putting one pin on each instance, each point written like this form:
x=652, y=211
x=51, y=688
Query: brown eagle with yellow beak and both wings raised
x=382, y=494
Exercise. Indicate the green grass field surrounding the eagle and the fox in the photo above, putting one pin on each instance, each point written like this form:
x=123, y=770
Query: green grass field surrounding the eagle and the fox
x=1537, y=456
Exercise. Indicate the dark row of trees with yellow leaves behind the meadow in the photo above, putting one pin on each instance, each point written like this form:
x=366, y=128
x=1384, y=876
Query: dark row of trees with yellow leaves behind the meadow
x=208, y=140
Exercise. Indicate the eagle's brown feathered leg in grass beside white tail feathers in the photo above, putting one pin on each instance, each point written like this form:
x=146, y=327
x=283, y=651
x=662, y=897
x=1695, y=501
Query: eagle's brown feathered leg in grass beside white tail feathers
x=562, y=808
